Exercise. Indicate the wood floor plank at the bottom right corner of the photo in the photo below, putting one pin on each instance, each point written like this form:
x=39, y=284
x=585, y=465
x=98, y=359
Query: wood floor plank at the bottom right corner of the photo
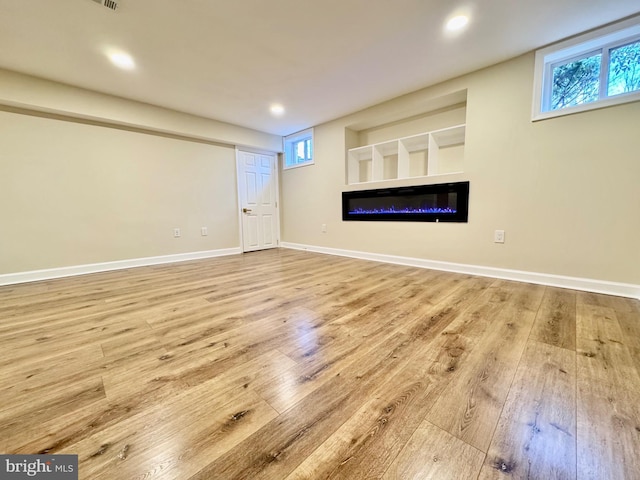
x=608, y=411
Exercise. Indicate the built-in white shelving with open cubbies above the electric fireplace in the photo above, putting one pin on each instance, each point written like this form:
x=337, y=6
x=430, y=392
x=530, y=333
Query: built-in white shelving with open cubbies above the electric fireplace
x=430, y=153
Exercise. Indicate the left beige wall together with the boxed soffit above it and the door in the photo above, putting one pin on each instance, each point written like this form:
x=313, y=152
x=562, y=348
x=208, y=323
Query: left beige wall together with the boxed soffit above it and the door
x=91, y=178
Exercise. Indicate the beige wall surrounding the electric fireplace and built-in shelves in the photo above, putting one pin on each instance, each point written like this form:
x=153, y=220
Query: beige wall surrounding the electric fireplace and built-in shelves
x=565, y=190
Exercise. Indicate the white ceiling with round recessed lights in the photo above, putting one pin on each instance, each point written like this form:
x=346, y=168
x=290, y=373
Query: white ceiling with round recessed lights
x=230, y=59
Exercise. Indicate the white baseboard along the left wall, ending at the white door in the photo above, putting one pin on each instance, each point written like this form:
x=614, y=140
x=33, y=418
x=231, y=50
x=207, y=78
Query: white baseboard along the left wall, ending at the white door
x=48, y=274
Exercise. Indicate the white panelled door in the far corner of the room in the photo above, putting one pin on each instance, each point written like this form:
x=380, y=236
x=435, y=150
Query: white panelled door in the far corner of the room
x=258, y=199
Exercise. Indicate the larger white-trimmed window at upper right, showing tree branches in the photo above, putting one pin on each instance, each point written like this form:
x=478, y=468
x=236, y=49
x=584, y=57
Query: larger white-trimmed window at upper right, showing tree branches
x=595, y=70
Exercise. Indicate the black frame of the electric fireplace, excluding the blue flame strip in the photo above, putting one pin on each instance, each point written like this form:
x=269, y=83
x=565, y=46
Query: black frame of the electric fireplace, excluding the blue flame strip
x=461, y=214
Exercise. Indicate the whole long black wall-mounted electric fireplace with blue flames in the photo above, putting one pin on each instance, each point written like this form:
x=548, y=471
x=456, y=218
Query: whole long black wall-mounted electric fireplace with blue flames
x=444, y=202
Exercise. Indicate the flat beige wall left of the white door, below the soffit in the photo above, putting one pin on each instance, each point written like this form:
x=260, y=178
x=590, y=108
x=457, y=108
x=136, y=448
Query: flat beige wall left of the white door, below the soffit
x=74, y=194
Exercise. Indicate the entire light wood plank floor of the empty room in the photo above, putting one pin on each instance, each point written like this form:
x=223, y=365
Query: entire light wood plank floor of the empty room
x=284, y=364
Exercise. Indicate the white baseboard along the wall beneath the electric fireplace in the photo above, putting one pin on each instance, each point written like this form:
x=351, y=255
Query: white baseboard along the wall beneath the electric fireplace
x=574, y=283
